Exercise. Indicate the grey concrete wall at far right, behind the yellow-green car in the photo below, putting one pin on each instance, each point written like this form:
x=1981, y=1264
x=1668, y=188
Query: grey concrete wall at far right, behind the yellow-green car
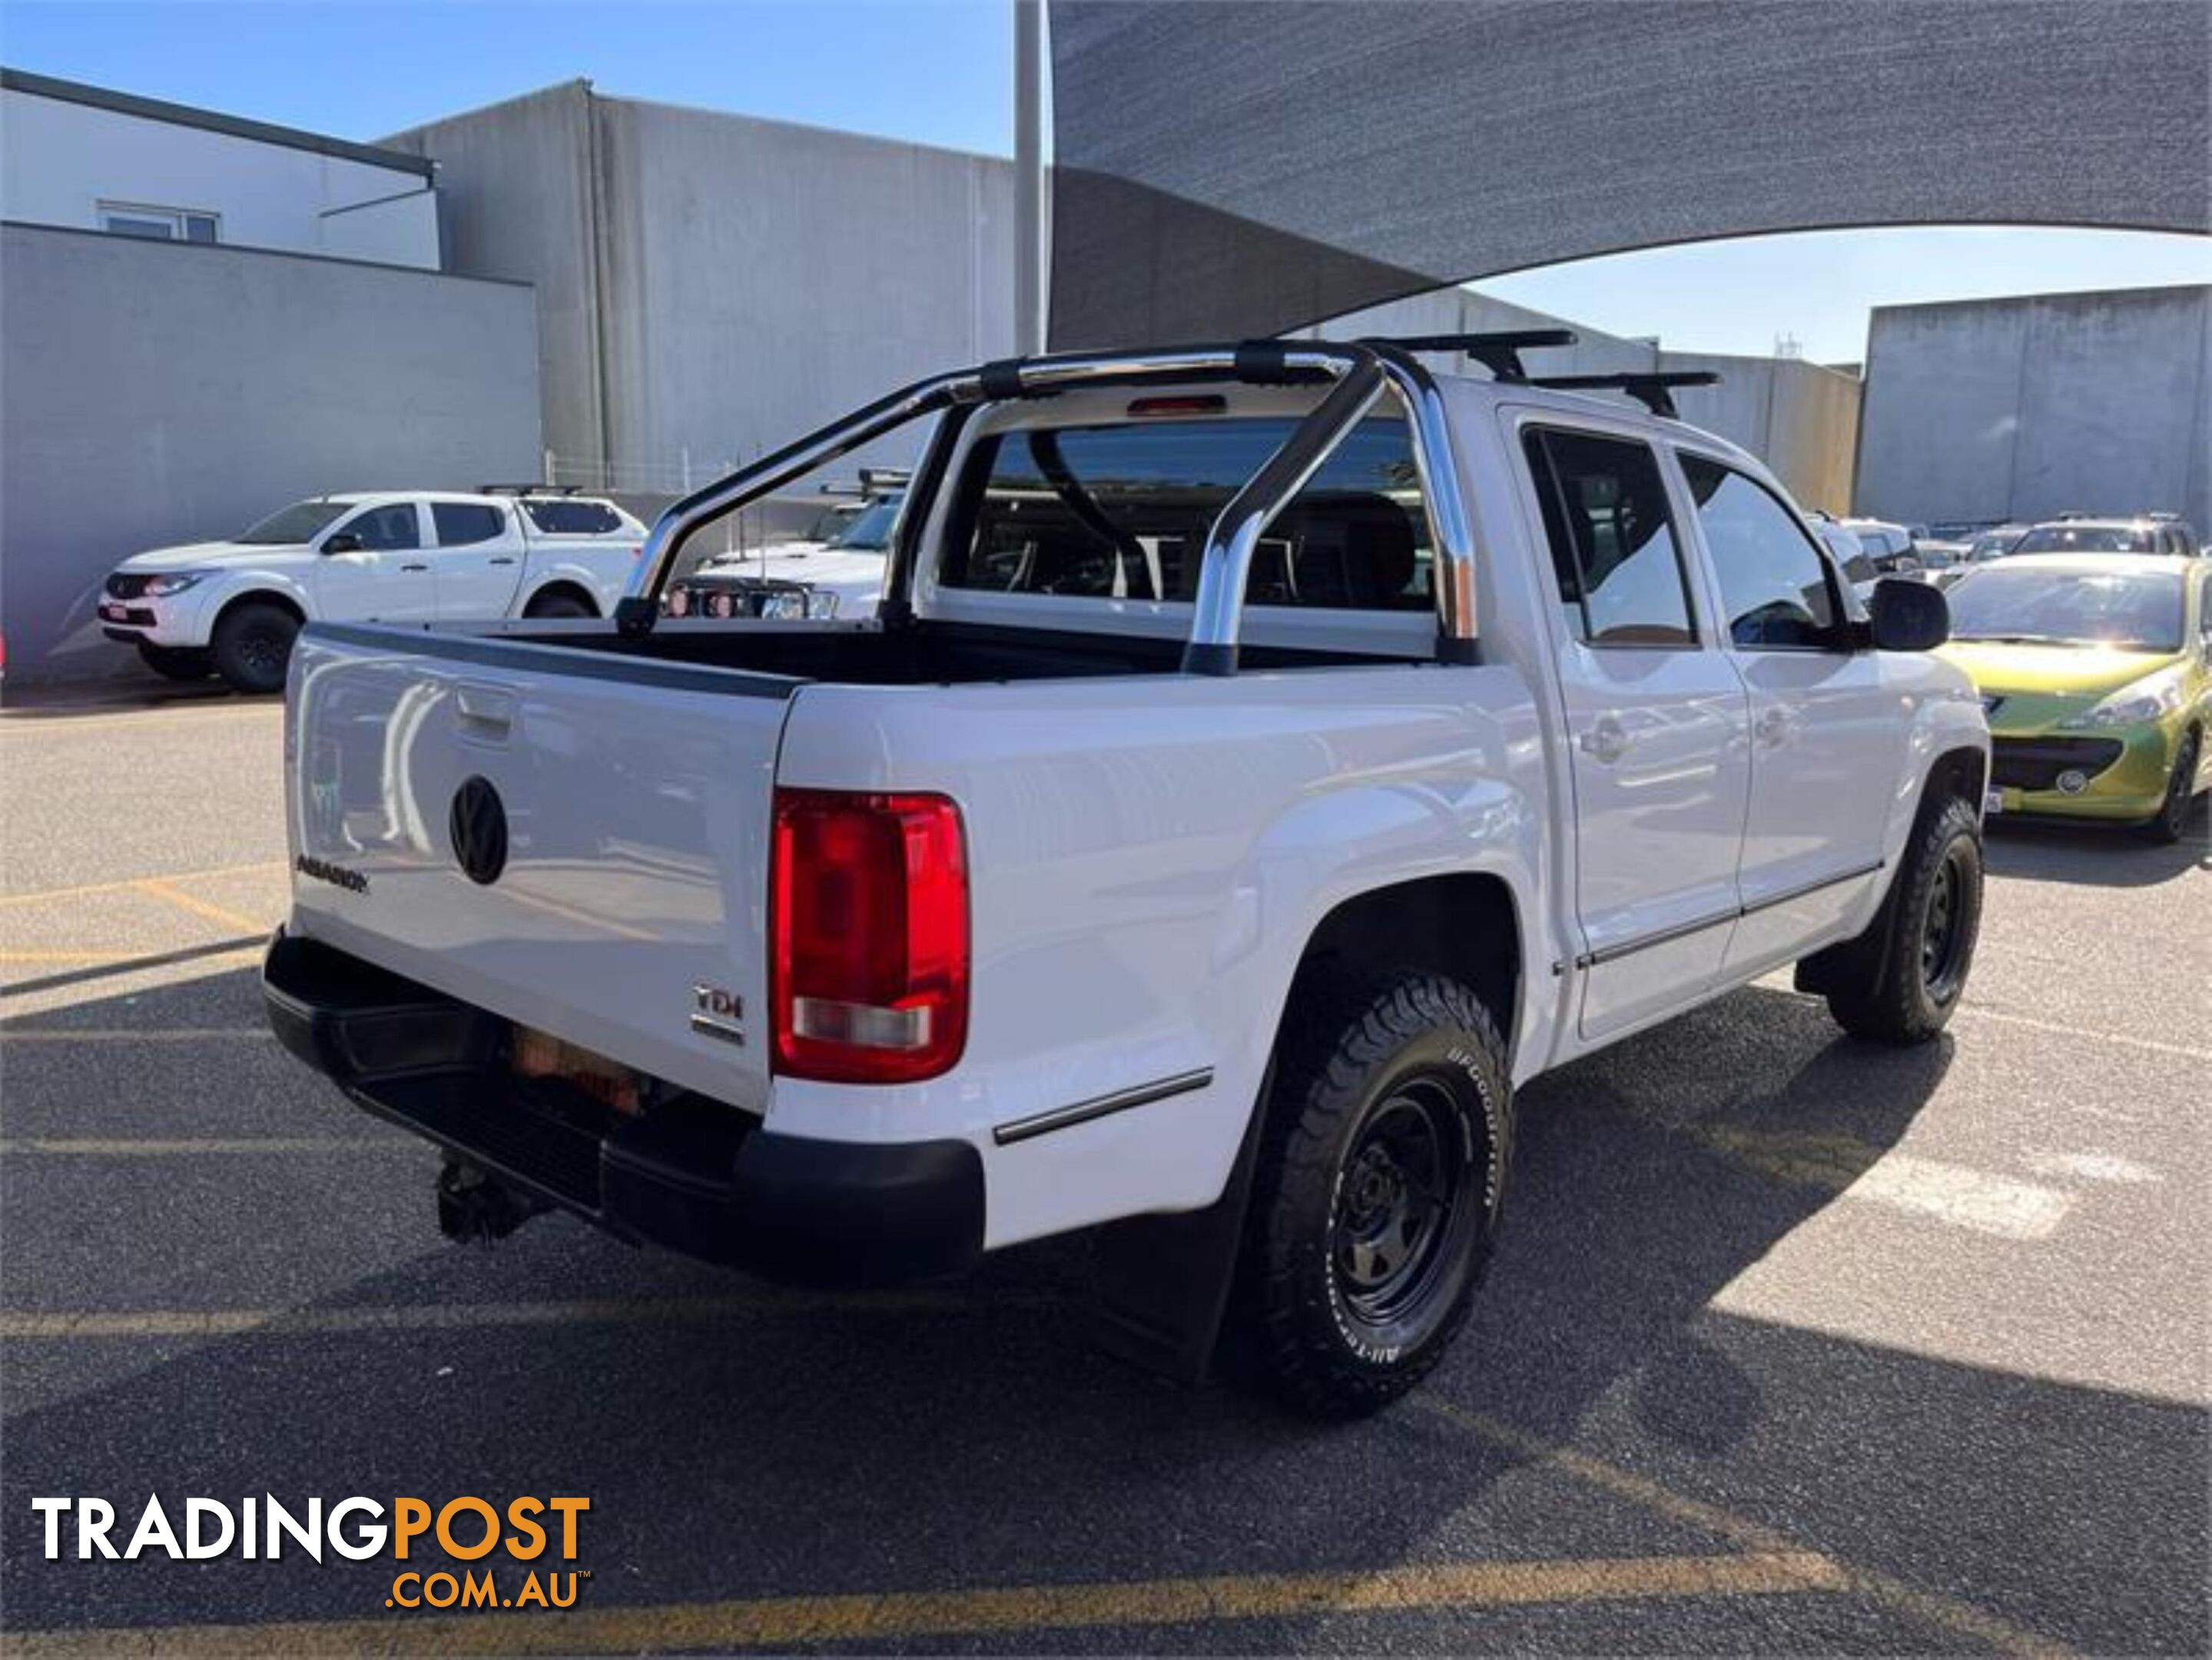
x=2025, y=408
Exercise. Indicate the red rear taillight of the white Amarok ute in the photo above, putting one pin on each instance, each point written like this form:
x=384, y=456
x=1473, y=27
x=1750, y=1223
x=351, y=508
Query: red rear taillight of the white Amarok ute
x=873, y=942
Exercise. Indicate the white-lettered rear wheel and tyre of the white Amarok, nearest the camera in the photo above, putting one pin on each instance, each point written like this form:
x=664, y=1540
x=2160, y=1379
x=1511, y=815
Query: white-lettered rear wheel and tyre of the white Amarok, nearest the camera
x=1377, y=1194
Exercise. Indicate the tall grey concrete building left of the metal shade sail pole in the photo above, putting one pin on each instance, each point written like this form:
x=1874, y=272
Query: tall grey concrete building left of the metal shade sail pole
x=716, y=284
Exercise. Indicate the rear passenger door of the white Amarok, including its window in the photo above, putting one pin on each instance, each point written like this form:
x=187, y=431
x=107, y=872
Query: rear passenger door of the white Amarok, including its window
x=1658, y=729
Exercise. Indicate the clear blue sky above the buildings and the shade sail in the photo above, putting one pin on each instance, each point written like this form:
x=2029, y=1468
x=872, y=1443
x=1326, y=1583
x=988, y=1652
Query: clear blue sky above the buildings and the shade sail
x=941, y=72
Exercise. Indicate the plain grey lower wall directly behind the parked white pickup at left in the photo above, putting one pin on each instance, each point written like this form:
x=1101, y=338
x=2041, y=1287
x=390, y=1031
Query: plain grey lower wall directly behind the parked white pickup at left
x=163, y=393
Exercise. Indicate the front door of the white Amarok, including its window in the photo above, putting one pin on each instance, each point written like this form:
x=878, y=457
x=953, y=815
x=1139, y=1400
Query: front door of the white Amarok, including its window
x=1828, y=745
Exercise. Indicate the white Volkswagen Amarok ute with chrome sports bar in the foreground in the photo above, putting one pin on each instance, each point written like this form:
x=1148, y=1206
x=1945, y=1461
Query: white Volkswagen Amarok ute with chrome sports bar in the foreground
x=1266, y=760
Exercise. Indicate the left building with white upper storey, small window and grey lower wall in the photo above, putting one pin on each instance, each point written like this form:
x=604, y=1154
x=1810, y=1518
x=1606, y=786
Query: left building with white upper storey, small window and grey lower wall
x=205, y=320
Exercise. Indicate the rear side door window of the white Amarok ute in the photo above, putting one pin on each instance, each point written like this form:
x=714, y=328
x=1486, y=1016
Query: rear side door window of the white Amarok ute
x=1611, y=539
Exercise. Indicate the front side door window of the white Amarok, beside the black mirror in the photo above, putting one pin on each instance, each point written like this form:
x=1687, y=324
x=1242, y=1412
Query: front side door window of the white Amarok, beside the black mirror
x=1775, y=585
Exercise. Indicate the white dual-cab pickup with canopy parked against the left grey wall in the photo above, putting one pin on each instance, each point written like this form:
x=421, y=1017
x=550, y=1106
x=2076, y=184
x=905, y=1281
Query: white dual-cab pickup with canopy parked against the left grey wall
x=393, y=557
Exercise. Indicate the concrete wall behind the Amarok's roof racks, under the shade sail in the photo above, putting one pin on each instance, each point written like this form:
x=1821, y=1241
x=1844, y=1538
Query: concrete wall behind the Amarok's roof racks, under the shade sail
x=1797, y=417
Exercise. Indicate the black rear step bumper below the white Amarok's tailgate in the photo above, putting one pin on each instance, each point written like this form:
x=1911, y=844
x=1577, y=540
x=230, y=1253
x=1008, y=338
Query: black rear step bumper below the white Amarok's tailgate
x=687, y=1174
